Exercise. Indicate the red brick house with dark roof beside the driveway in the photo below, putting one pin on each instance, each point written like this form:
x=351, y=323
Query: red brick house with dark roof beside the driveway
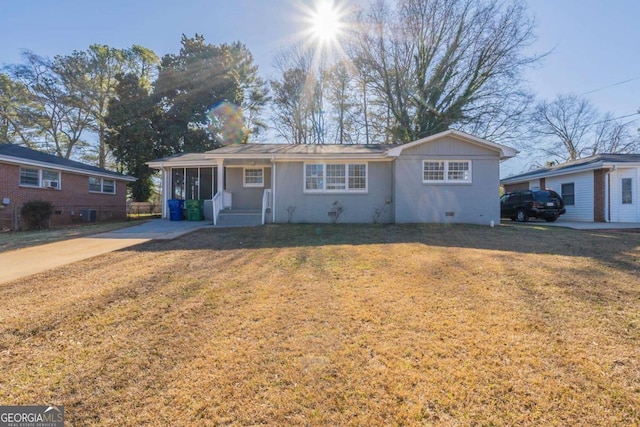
x=78, y=192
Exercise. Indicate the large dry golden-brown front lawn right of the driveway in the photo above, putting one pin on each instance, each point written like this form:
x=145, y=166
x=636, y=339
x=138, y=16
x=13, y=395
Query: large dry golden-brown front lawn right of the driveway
x=335, y=325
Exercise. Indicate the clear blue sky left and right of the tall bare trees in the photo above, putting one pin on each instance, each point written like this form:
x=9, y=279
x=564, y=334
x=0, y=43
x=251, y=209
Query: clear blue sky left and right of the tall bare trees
x=594, y=43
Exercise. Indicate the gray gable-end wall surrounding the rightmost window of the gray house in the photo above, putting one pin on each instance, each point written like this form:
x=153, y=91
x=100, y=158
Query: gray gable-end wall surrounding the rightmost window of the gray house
x=475, y=203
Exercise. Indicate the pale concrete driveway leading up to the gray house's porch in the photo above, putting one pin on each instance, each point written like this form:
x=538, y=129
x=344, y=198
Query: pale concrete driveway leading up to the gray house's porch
x=25, y=262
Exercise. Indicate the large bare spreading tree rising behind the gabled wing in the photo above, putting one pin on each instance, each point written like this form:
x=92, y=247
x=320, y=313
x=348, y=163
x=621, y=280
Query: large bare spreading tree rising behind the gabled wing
x=437, y=64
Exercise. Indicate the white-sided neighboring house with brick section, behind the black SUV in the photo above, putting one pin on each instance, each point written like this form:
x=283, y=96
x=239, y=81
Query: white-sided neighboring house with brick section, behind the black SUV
x=599, y=188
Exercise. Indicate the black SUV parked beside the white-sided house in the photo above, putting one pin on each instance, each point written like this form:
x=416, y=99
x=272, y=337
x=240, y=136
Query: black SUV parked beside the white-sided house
x=522, y=205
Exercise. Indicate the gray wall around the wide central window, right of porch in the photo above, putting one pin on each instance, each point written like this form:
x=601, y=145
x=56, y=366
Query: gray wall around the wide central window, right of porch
x=314, y=208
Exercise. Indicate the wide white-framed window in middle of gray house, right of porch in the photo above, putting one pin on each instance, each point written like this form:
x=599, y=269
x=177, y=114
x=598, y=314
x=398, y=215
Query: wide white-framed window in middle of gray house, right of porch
x=335, y=177
